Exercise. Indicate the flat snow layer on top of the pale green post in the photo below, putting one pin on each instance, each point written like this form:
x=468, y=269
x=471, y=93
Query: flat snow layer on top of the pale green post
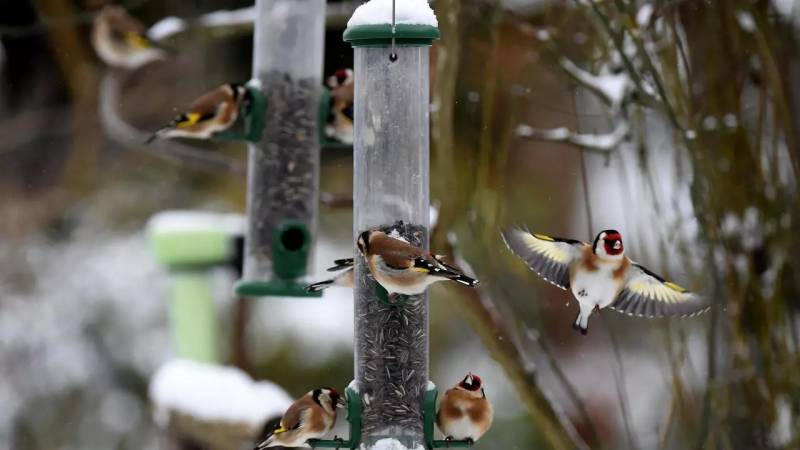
x=182, y=221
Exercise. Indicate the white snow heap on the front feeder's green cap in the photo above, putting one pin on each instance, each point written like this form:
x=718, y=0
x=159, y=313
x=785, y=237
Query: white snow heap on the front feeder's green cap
x=378, y=12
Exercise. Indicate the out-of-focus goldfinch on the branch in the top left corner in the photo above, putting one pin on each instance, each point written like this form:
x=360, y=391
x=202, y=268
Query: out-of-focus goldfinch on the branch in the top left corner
x=119, y=40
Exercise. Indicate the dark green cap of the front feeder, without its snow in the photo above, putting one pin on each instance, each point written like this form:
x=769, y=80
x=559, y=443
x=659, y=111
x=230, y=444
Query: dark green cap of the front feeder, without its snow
x=380, y=35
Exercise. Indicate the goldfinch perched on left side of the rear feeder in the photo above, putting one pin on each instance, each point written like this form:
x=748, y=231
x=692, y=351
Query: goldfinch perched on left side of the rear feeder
x=213, y=112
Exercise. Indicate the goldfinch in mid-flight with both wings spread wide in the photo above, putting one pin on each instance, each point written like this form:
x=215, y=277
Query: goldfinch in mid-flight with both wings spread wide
x=600, y=275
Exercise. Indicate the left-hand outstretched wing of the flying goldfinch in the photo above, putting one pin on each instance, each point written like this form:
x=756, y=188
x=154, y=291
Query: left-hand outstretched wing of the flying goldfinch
x=549, y=257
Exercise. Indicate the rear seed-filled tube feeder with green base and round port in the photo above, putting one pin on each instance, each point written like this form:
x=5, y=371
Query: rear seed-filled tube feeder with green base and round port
x=283, y=170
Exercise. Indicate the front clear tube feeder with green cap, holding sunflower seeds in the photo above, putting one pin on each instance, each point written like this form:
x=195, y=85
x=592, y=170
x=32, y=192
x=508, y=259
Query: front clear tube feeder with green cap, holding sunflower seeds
x=391, y=172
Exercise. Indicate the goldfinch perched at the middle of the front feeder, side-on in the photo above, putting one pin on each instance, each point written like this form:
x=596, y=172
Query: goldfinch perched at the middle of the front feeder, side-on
x=402, y=268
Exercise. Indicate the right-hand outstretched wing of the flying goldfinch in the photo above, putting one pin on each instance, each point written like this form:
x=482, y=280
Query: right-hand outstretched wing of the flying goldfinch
x=645, y=294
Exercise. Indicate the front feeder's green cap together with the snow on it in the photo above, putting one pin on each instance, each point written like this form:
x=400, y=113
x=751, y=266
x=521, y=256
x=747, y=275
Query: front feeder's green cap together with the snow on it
x=371, y=24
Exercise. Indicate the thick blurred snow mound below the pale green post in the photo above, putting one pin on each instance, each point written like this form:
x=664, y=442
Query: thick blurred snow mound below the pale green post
x=215, y=393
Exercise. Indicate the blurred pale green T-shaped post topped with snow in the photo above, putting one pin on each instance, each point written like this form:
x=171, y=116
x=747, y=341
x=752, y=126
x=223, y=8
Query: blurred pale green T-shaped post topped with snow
x=190, y=244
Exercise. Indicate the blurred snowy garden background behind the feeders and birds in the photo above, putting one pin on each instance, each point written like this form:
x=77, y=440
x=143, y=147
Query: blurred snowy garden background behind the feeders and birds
x=675, y=122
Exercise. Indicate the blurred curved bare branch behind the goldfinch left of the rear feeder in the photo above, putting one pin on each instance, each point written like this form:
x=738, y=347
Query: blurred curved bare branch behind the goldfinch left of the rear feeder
x=132, y=138
